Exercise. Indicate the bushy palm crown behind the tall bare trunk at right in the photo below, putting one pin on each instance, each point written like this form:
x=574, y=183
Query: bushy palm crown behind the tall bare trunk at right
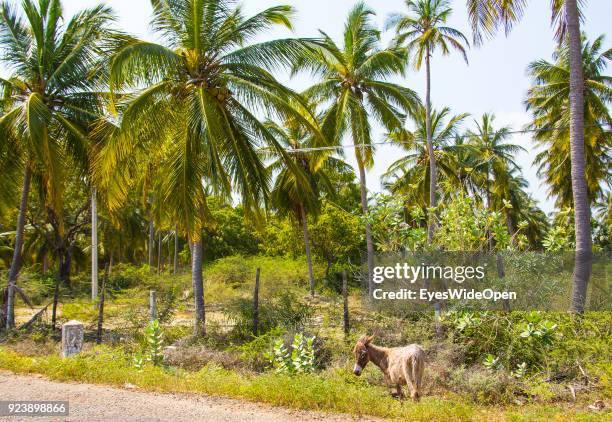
x=548, y=101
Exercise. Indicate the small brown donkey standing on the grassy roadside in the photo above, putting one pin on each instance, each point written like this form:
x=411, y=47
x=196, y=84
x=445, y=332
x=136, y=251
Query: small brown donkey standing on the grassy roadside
x=400, y=365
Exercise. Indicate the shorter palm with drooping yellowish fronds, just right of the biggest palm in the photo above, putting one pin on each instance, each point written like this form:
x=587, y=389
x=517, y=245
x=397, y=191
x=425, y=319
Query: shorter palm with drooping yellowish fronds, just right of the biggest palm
x=300, y=194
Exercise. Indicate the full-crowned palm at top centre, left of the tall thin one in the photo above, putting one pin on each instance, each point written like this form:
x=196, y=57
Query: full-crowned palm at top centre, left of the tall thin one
x=354, y=89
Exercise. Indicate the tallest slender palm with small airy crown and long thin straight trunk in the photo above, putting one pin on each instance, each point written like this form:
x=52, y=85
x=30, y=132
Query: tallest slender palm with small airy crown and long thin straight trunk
x=422, y=32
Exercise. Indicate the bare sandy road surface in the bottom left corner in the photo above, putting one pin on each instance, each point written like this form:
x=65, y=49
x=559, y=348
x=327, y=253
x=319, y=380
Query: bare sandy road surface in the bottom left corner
x=100, y=403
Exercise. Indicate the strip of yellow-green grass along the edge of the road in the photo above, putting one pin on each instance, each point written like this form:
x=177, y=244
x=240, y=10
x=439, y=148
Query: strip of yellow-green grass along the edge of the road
x=332, y=391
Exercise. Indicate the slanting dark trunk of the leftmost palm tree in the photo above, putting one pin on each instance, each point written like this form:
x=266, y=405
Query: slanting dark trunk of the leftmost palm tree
x=16, y=262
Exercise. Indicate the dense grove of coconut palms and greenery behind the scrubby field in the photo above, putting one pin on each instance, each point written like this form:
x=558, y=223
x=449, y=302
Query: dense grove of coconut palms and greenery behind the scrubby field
x=192, y=149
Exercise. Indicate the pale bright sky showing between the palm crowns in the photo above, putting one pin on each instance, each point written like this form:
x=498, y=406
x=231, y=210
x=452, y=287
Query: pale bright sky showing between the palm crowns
x=494, y=81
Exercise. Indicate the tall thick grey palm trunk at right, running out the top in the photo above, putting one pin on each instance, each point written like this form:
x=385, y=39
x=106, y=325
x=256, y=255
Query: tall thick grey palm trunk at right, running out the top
x=582, y=212
